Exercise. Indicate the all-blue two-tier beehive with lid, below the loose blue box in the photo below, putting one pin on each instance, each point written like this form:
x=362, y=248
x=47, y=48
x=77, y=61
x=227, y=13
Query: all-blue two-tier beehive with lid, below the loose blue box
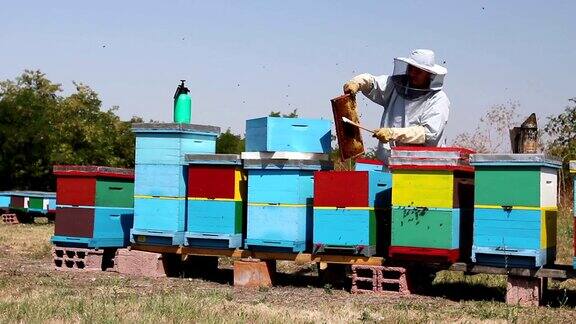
x=279, y=214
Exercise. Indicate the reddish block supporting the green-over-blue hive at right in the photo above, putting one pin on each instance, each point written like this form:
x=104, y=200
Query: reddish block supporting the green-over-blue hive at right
x=525, y=291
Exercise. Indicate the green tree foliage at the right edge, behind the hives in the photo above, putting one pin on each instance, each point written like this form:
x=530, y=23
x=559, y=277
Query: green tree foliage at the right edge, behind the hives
x=561, y=130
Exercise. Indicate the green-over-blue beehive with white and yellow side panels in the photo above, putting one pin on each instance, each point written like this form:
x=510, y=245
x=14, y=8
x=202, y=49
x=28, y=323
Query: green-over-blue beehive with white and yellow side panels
x=515, y=210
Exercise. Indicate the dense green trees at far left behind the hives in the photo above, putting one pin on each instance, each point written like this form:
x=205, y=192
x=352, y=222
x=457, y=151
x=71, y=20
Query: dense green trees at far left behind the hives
x=47, y=128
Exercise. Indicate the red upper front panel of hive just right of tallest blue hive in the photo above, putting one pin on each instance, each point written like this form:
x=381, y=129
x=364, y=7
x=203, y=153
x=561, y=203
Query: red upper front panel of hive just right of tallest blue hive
x=207, y=181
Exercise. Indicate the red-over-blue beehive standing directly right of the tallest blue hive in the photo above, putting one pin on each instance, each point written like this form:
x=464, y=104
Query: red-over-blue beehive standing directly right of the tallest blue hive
x=216, y=200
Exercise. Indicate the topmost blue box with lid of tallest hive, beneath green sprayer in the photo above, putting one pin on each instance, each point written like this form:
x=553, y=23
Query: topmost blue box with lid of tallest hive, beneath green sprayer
x=158, y=143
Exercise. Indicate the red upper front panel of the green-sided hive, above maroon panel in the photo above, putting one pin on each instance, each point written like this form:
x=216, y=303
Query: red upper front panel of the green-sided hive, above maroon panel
x=75, y=191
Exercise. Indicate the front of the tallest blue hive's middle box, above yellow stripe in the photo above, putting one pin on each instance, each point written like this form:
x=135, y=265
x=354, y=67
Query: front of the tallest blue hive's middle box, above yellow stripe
x=166, y=180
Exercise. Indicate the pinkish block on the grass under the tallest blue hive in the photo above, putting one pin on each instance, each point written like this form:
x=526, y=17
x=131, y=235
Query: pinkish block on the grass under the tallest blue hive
x=146, y=264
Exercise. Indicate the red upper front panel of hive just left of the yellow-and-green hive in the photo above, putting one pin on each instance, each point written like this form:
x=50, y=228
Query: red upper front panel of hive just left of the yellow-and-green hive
x=341, y=189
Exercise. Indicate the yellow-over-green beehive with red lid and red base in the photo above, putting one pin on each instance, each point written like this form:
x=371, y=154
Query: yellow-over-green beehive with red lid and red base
x=432, y=201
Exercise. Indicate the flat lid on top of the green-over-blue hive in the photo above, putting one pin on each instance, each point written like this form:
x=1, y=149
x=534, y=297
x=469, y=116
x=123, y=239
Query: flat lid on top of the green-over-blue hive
x=515, y=159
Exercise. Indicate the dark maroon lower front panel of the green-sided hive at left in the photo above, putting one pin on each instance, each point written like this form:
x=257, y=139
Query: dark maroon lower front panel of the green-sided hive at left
x=77, y=222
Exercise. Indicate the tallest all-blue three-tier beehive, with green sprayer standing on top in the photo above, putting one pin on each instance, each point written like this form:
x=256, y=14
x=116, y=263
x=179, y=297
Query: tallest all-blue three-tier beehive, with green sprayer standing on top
x=160, y=205
